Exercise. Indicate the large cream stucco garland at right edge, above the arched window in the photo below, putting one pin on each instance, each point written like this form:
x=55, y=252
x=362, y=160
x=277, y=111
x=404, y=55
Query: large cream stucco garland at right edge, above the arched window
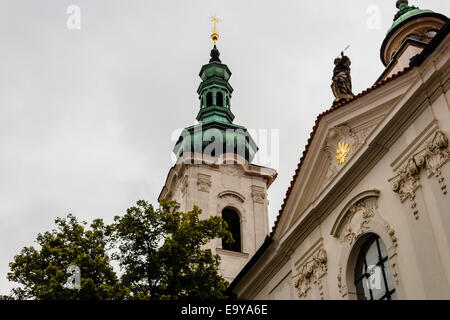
x=431, y=158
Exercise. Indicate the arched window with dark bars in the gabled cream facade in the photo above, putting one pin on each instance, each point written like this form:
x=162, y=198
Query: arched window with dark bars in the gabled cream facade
x=373, y=276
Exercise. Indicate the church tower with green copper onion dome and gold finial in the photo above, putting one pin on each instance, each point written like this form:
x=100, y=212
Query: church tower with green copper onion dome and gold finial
x=214, y=170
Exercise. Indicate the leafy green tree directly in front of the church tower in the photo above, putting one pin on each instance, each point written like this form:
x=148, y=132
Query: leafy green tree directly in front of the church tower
x=163, y=256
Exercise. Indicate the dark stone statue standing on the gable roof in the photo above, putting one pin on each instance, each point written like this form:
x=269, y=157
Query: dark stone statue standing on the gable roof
x=342, y=82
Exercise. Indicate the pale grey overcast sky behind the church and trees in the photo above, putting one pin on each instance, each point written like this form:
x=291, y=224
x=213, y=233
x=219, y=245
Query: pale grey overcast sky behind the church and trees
x=86, y=116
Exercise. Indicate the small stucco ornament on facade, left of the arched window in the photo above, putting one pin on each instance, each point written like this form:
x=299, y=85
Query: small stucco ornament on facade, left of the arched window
x=311, y=272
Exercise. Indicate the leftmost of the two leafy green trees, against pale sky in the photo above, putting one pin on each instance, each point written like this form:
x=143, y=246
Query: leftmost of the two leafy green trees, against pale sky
x=42, y=273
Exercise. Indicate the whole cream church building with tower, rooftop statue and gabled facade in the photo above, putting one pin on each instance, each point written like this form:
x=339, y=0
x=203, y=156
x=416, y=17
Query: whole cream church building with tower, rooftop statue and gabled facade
x=367, y=213
